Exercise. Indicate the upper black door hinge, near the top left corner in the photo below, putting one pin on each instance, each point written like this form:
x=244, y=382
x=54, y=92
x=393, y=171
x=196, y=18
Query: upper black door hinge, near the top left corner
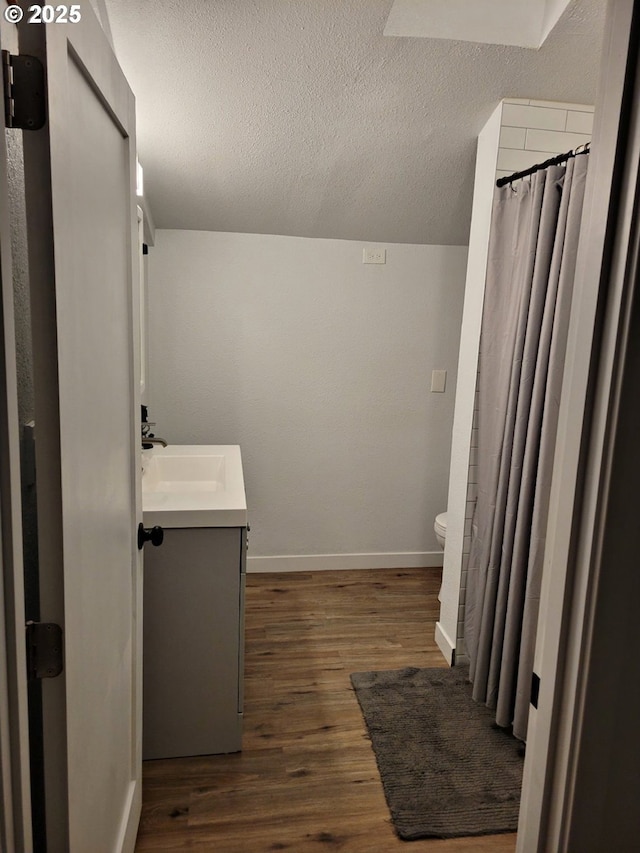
x=24, y=91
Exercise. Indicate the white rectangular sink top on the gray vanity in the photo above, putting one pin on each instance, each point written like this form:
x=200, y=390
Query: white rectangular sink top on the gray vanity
x=193, y=486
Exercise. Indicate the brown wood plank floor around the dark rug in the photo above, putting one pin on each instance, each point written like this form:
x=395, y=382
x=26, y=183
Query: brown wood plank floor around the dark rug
x=306, y=779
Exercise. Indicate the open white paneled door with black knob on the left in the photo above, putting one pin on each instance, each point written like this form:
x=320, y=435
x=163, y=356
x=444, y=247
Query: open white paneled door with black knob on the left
x=83, y=257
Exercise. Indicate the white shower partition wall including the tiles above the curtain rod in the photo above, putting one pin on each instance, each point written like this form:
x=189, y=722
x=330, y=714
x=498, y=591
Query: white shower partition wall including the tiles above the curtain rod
x=519, y=133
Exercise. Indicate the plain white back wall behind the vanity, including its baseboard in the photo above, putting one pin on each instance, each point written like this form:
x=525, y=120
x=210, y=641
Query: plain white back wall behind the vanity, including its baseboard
x=319, y=367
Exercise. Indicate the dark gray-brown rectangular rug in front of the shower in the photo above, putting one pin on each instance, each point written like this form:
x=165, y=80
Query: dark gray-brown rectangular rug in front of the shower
x=446, y=769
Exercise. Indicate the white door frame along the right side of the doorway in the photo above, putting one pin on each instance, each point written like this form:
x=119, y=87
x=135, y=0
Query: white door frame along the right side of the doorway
x=573, y=579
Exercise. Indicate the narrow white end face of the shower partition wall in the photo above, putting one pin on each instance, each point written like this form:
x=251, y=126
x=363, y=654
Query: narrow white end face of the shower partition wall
x=486, y=163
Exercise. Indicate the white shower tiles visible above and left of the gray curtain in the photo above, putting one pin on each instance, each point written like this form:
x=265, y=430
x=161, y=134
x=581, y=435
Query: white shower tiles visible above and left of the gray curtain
x=531, y=131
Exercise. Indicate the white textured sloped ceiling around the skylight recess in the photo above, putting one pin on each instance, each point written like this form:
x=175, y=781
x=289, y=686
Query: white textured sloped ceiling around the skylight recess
x=299, y=117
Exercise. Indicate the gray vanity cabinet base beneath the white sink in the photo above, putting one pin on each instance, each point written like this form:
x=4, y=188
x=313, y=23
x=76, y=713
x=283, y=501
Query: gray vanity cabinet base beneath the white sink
x=193, y=632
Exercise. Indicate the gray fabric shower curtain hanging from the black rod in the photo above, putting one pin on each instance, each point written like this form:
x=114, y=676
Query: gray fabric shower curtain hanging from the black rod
x=532, y=252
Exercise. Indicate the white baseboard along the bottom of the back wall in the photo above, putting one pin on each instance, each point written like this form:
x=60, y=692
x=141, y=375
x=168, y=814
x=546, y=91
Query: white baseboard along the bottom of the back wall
x=324, y=562
